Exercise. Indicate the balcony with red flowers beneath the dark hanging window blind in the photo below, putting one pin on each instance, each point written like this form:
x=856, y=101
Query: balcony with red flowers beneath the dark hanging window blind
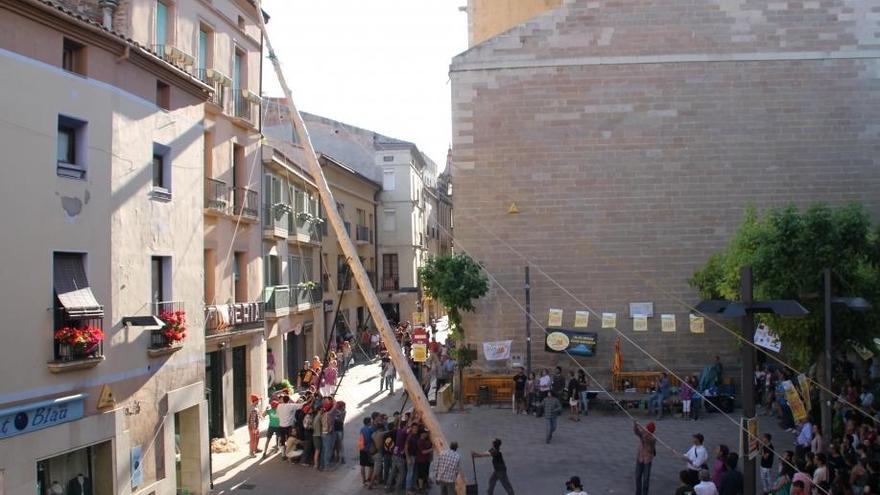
x=67, y=357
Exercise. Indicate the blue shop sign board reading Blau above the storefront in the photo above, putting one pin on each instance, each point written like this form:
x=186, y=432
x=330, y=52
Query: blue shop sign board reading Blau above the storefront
x=31, y=417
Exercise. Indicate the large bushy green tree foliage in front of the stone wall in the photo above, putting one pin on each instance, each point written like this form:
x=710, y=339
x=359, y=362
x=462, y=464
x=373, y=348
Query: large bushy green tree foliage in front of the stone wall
x=788, y=250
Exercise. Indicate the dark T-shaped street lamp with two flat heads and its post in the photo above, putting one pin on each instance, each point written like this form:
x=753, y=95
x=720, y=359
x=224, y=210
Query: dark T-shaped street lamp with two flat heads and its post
x=745, y=310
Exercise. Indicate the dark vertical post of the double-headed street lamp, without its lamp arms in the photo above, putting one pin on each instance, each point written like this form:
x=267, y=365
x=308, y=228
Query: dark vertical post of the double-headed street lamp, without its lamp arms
x=748, y=378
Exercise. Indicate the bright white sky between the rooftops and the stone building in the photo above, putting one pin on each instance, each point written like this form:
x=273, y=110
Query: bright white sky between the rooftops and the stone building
x=377, y=64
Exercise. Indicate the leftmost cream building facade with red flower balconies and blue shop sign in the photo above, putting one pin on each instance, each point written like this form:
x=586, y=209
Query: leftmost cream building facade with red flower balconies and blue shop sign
x=97, y=396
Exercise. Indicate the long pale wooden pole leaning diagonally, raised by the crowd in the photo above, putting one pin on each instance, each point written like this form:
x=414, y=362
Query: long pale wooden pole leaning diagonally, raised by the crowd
x=410, y=383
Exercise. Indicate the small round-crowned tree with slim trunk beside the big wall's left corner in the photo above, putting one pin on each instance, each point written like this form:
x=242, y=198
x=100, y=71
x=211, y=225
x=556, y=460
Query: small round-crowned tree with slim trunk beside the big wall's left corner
x=455, y=281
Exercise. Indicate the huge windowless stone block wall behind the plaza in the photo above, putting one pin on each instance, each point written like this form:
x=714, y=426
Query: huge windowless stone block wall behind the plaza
x=632, y=135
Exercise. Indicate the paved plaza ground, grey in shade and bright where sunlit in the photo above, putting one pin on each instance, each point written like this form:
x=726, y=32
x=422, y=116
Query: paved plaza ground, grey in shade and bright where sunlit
x=600, y=449
